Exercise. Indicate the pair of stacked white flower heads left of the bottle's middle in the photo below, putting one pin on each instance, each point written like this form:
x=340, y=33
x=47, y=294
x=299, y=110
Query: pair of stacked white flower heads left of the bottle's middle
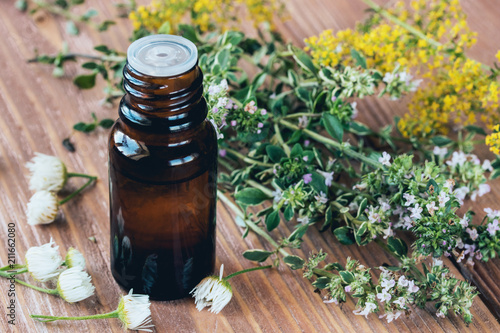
x=48, y=176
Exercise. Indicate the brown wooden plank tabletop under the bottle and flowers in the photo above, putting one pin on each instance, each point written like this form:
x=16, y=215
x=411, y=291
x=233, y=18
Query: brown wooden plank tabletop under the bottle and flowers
x=38, y=111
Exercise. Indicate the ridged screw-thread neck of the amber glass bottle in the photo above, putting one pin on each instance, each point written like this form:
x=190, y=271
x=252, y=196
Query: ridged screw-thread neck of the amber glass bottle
x=163, y=104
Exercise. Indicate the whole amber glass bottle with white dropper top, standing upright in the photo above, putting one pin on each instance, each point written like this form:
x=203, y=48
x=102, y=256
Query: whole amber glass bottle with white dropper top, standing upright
x=162, y=172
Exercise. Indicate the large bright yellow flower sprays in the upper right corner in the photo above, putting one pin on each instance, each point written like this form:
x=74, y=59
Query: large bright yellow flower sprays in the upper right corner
x=457, y=91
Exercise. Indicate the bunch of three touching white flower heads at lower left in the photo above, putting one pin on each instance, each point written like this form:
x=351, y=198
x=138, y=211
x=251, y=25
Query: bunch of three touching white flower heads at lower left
x=44, y=263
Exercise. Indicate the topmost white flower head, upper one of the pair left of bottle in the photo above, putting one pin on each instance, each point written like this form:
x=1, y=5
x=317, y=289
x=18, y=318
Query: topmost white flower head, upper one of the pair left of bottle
x=47, y=173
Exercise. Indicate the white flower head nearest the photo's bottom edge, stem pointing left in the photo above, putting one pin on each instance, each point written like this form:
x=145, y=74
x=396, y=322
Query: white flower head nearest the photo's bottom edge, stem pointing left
x=133, y=311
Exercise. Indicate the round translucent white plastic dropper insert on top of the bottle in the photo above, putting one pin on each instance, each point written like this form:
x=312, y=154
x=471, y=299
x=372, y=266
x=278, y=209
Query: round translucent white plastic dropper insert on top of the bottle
x=162, y=55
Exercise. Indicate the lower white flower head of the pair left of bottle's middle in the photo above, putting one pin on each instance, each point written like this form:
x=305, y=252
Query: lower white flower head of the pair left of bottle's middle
x=42, y=208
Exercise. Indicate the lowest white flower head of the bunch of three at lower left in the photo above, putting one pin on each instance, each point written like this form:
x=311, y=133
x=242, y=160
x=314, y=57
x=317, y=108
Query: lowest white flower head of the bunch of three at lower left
x=74, y=285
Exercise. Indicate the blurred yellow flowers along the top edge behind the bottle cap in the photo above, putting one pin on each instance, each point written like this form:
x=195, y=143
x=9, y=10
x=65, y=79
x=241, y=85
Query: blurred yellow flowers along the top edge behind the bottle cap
x=207, y=15
